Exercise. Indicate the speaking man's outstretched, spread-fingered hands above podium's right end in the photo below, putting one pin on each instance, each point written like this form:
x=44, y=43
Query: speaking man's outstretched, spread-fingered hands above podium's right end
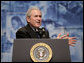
x=72, y=40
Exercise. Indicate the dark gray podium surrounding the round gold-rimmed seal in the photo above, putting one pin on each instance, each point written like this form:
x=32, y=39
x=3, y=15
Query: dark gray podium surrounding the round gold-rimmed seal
x=22, y=49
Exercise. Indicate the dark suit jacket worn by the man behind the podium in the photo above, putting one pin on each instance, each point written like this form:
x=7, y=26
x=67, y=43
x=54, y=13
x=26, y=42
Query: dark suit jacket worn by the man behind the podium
x=28, y=32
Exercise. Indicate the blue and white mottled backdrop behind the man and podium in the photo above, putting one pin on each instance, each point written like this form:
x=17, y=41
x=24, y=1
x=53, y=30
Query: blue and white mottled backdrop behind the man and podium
x=57, y=17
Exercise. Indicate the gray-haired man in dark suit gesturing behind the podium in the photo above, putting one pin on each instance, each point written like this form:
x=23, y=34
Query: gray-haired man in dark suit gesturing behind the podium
x=32, y=30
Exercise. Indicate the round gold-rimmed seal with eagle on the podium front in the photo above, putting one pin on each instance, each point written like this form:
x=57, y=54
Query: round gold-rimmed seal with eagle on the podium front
x=41, y=52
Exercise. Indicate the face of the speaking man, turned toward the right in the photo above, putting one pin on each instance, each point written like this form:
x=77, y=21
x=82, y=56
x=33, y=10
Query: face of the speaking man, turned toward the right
x=35, y=18
